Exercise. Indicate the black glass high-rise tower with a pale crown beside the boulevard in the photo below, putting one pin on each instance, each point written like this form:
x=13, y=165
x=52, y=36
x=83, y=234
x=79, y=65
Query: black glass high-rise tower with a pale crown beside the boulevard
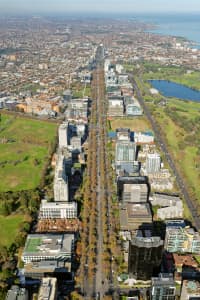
x=145, y=255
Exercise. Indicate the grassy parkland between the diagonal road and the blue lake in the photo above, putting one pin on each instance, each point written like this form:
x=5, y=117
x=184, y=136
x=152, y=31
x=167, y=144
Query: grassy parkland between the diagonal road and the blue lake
x=187, y=159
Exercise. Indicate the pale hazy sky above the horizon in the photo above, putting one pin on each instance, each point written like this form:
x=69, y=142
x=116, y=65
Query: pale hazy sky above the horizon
x=62, y=6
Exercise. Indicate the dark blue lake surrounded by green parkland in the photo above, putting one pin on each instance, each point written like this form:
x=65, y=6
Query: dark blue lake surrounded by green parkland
x=172, y=89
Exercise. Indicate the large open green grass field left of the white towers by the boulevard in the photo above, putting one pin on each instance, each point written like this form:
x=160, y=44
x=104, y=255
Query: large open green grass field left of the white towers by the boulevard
x=23, y=155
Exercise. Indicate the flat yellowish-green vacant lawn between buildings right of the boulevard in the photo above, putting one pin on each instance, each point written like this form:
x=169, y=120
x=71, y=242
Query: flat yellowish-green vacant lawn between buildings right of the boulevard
x=135, y=123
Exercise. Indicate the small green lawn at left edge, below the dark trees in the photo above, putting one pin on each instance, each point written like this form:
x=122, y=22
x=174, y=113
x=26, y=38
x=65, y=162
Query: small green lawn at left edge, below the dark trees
x=9, y=228
